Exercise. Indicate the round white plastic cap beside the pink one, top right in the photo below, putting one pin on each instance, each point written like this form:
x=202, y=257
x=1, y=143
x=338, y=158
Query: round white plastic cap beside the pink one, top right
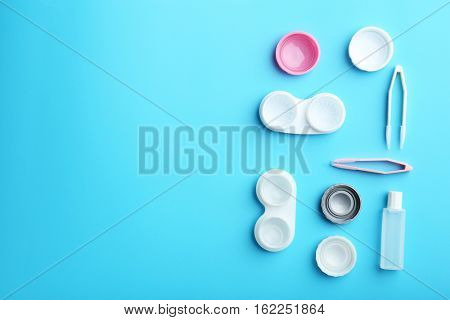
x=371, y=49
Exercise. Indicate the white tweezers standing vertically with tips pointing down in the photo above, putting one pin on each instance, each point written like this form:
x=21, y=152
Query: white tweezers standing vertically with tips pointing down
x=398, y=69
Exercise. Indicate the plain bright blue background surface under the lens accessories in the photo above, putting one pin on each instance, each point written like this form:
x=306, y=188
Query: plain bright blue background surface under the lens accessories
x=69, y=149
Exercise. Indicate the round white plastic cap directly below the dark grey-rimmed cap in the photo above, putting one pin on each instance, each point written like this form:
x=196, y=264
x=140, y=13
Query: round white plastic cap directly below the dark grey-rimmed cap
x=336, y=256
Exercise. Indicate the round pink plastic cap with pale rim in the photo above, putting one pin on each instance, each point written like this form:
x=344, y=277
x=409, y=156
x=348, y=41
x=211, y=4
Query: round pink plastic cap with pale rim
x=297, y=53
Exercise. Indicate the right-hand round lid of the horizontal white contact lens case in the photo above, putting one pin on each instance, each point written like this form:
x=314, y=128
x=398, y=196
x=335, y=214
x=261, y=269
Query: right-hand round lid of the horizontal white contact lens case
x=325, y=113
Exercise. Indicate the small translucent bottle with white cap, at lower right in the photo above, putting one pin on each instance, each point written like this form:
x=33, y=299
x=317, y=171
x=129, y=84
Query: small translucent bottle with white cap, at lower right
x=393, y=233
